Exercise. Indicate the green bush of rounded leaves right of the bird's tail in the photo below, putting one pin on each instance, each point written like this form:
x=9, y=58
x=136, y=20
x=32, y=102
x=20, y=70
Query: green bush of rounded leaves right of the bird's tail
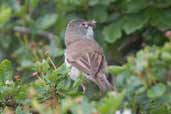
x=146, y=80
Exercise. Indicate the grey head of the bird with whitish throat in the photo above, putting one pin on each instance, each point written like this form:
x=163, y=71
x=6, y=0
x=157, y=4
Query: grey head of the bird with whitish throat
x=79, y=28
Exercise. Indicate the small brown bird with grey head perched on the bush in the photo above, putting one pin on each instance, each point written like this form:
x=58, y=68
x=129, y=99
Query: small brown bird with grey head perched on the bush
x=84, y=55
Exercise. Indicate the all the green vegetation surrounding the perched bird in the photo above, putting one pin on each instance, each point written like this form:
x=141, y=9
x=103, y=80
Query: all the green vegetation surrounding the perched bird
x=136, y=40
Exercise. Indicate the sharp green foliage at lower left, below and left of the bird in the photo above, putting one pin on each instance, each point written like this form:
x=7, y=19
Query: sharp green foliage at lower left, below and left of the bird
x=51, y=93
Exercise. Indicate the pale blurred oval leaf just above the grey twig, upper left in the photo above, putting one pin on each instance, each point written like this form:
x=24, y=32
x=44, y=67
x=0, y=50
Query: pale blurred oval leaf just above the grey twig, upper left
x=46, y=21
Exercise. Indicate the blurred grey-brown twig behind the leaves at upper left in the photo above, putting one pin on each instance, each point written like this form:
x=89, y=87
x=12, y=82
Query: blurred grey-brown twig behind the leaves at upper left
x=25, y=30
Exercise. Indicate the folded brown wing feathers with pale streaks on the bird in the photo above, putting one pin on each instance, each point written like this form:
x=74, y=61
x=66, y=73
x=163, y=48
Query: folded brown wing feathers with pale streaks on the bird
x=90, y=63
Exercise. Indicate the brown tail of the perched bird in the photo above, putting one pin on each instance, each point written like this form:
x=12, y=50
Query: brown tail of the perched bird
x=103, y=83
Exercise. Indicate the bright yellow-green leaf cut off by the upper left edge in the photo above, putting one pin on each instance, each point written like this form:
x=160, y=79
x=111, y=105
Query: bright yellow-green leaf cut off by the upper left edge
x=5, y=14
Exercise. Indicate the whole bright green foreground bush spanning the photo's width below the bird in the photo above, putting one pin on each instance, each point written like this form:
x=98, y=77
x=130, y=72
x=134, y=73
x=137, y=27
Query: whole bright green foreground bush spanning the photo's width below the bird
x=143, y=85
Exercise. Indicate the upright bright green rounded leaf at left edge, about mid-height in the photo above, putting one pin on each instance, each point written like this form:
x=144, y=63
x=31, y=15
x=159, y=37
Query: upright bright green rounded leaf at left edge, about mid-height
x=5, y=70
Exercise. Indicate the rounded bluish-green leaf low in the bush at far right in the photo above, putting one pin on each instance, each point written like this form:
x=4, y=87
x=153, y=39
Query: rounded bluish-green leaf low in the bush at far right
x=156, y=90
